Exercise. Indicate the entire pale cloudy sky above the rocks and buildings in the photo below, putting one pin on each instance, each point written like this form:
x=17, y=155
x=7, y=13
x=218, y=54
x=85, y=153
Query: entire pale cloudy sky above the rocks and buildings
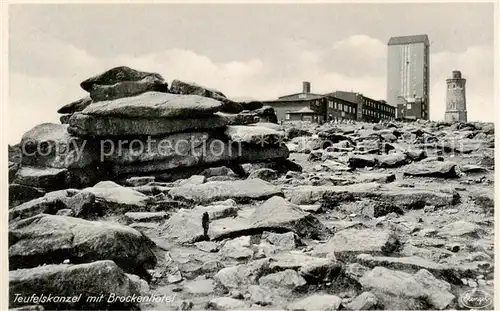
x=259, y=51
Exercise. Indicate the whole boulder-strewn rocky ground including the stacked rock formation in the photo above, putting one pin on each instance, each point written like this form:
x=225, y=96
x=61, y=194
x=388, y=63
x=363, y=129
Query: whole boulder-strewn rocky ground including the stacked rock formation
x=297, y=216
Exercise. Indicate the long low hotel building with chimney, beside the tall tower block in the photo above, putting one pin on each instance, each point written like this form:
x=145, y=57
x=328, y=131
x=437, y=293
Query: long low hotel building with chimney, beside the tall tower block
x=338, y=106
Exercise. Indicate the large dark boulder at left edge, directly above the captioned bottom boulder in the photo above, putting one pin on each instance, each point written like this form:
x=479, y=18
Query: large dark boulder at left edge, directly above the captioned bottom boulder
x=47, y=239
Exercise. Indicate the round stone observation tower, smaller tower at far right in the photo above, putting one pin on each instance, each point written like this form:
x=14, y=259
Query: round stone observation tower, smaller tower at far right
x=456, y=109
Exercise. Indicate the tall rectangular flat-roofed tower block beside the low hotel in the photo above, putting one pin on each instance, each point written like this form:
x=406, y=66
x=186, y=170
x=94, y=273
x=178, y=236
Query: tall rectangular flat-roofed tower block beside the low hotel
x=408, y=76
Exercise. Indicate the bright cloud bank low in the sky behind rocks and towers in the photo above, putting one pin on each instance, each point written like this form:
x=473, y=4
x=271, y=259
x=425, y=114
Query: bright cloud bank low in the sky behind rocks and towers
x=45, y=75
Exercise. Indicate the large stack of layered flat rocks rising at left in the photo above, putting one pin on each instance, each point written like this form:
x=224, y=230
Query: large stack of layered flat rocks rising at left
x=132, y=124
